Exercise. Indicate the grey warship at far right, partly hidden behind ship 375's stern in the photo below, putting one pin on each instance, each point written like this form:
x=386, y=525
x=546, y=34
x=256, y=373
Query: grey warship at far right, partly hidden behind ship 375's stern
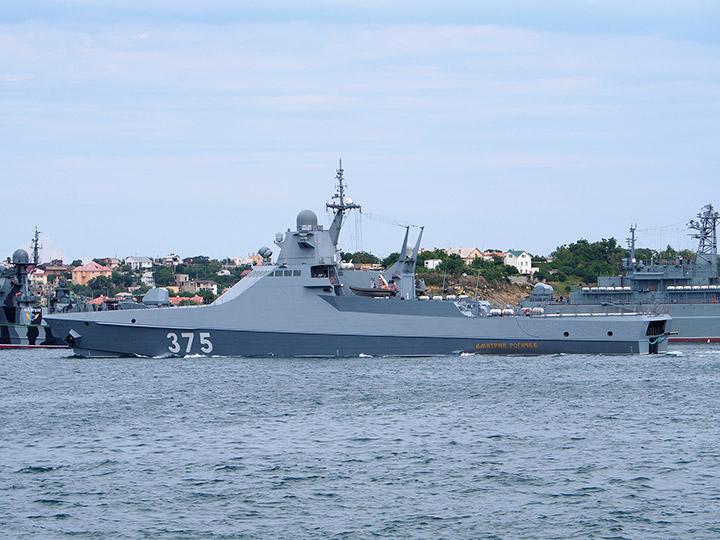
x=688, y=289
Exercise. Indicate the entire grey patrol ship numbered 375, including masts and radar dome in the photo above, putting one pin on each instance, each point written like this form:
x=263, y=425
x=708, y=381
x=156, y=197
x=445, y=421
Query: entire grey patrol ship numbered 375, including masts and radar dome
x=303, y=304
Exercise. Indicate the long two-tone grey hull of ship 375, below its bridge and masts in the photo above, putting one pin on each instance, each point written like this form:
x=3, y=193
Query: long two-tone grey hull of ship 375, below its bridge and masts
x=327, y=325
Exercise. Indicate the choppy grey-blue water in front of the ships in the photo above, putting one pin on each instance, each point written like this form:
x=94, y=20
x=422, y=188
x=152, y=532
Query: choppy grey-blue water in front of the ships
x=446, y=447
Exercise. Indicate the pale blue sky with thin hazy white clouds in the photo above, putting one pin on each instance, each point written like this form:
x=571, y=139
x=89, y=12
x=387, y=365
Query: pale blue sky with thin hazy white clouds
x=203, y=128
